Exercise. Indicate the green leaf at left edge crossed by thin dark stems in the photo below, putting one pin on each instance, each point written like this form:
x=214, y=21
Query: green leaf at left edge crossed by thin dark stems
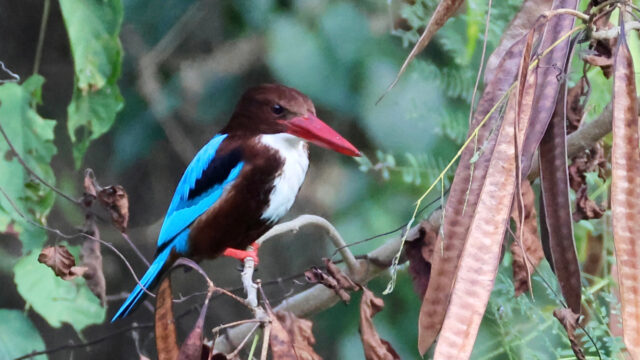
x=32, y=137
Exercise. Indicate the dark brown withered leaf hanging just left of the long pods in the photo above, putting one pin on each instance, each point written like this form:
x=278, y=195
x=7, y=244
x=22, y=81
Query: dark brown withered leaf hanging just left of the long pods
x=419, y=251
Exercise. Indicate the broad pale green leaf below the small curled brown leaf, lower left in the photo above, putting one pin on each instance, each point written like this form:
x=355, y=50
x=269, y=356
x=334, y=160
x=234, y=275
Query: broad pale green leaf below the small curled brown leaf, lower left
x=56, y=300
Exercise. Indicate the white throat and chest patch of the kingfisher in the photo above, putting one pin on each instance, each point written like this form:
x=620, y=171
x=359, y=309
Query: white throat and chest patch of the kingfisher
x=288, y=181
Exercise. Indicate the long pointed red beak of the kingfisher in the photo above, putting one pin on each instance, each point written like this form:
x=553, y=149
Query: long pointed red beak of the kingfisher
x=310, y=128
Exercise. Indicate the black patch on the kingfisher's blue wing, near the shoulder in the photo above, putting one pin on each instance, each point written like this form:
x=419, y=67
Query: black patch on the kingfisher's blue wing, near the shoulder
x=216, y=172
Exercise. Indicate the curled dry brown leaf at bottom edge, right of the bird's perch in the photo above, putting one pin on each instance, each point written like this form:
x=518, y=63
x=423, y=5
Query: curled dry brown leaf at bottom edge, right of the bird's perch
x=375, y=348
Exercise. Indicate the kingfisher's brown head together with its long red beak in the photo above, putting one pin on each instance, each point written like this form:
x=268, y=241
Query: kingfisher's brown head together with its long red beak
x=274, y=108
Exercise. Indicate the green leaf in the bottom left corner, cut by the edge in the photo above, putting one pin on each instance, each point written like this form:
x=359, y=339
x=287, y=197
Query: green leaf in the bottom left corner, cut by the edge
x=18, y=336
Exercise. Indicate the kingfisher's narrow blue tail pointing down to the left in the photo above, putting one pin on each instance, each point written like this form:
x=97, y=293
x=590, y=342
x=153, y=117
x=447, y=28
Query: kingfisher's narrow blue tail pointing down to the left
x=153, y=274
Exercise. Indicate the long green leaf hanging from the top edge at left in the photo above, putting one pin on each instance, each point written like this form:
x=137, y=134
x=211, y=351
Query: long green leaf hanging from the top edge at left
x=93, y=27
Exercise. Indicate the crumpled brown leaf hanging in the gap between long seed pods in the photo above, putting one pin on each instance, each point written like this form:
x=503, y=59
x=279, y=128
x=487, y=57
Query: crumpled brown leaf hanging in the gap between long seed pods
x=522, y=269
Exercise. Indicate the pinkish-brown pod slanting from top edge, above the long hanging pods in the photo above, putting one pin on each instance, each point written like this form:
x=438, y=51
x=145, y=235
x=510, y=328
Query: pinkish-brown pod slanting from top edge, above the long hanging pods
x=524, y=20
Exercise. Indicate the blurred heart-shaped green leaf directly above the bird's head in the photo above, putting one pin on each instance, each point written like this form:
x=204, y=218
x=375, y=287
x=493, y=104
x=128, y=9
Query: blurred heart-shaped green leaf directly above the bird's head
x=320, y=63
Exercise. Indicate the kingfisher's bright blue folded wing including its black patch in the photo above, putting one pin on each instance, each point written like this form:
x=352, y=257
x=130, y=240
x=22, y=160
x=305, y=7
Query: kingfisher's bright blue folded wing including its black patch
x=202, y=184
